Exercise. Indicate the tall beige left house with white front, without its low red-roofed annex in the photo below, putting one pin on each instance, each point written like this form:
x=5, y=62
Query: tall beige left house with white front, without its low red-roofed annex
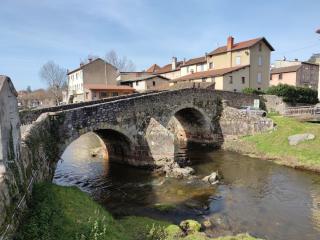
x=96, y=71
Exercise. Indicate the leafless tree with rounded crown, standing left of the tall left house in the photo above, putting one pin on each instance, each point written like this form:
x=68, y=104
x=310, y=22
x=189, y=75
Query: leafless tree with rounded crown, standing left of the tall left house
x=55, y=77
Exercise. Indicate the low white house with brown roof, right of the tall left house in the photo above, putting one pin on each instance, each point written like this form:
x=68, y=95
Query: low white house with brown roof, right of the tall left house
x=147, y=82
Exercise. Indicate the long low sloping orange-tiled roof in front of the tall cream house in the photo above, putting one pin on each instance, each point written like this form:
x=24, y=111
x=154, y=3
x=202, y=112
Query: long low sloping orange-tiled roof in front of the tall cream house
x=210, y=73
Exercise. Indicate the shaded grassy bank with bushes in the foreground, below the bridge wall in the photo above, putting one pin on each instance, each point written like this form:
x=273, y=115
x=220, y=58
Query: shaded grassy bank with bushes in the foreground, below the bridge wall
x=65, y=213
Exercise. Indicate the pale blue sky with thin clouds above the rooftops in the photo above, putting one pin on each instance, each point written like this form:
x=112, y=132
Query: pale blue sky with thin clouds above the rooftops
x=146, y=31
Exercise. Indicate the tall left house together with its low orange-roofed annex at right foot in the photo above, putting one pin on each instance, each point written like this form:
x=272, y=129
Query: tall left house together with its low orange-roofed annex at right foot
x=94, y=80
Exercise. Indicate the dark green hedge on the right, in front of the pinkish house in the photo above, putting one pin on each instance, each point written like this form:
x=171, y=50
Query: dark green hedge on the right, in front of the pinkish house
x=294, y=94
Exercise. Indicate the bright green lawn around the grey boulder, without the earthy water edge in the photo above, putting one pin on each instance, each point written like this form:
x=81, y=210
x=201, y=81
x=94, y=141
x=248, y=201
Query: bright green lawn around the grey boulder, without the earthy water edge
x=275, y=144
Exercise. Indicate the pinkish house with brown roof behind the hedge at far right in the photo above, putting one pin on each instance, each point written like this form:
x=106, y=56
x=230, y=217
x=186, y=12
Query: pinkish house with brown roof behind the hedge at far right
x=295, y=73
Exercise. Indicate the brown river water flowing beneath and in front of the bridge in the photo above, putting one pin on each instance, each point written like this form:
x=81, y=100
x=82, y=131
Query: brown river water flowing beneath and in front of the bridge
x=254, y=196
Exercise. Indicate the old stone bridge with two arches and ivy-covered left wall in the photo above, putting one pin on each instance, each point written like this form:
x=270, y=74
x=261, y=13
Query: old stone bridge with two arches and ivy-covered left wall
x=141, y=130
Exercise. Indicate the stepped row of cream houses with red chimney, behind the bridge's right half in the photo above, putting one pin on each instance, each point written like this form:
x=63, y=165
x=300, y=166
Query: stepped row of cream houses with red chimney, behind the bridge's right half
x=250, y=58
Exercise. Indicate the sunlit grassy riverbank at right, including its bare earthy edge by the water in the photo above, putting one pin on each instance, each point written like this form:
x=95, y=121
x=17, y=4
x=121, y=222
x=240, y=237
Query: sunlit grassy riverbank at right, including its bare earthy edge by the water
x=274, y=145
